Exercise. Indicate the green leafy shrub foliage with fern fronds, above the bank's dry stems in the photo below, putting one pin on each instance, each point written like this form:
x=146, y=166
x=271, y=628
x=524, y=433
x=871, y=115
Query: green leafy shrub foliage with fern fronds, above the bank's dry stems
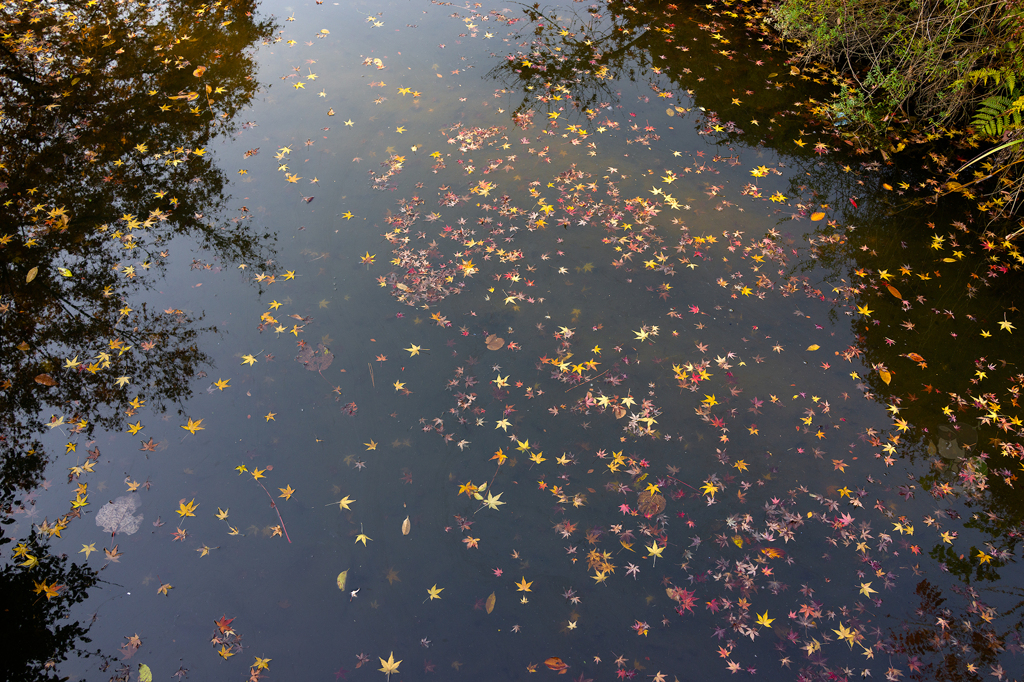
x=934, y=61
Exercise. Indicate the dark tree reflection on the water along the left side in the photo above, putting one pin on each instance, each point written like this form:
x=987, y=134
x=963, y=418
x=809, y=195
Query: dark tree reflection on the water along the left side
x=108, y=110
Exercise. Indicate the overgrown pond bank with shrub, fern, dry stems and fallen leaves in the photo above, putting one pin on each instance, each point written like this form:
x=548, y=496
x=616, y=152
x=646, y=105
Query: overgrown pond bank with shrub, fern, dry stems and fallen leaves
x=948, y=66
